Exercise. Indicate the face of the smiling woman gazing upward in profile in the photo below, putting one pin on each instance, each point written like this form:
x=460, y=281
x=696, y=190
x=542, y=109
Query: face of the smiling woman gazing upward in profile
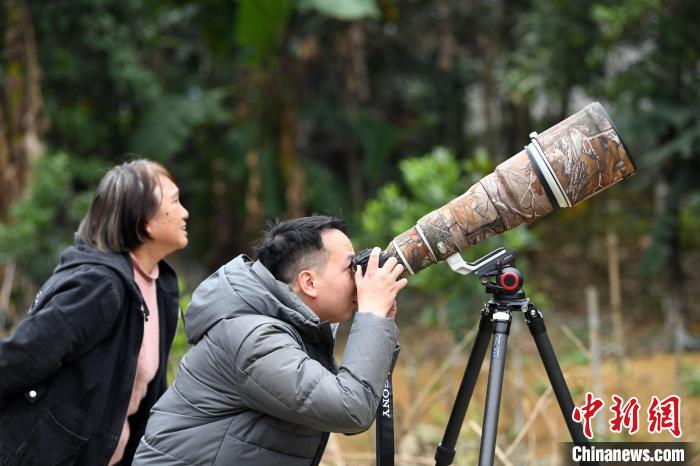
x=168, y=227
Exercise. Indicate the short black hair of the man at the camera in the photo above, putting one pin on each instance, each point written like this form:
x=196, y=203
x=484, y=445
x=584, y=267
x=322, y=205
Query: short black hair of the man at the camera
x=290, y=246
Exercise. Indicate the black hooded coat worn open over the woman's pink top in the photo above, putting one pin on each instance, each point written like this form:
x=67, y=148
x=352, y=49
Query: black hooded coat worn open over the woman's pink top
x=67, y=372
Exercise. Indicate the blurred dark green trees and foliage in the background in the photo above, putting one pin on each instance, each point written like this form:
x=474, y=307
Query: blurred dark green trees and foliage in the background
x=374, y=110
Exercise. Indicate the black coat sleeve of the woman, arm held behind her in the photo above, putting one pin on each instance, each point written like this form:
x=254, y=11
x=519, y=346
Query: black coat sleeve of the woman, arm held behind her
x=81, y=312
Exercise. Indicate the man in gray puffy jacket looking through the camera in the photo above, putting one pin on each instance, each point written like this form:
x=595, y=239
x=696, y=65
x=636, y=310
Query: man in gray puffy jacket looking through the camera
x=260, y=386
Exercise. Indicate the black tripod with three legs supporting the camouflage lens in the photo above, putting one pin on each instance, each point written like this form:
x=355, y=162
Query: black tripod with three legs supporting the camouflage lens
x=508, y=297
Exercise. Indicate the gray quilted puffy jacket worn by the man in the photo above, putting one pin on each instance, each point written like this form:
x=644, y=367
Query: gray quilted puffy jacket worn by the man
x=259, y=386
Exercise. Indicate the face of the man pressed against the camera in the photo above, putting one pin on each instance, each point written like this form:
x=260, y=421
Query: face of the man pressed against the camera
x=335, y=283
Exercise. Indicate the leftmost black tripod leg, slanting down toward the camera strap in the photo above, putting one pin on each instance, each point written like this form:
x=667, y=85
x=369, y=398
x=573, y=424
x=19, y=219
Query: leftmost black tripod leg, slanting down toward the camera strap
x=446, y=450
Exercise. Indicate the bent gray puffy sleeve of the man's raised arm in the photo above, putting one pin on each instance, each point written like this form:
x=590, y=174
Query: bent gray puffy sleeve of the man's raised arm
x=277, y=377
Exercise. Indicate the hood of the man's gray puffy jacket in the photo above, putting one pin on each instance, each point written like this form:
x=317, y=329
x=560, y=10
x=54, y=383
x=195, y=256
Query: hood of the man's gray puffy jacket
x=243, y=287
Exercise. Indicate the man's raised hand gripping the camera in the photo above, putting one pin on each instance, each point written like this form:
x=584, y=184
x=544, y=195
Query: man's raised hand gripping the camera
x=378, y=287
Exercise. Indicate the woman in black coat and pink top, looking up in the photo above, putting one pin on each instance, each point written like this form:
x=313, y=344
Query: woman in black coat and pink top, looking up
x=81, y=372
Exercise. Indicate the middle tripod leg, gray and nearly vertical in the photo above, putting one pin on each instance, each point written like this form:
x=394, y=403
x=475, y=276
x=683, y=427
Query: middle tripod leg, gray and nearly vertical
x=493, y=392
